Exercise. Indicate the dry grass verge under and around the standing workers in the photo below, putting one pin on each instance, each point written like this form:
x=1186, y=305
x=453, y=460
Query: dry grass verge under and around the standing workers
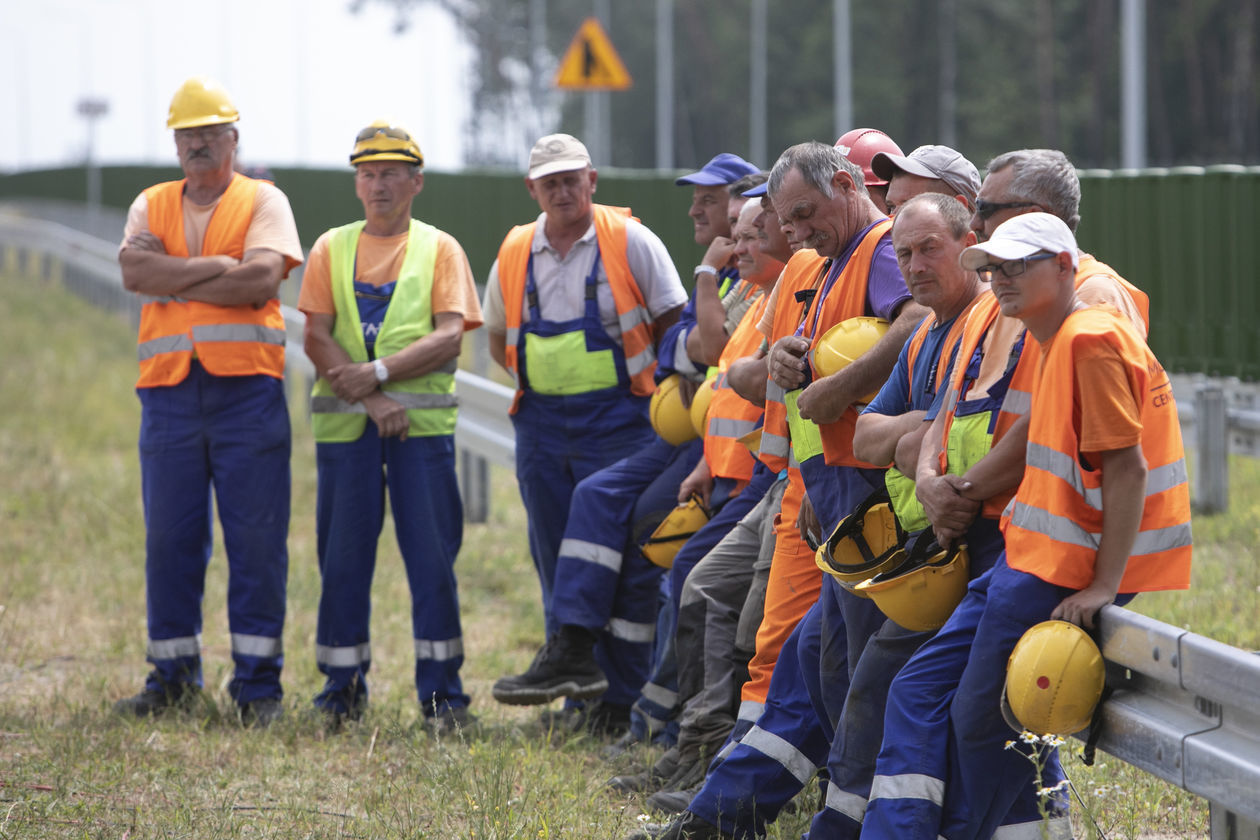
x=72, y=639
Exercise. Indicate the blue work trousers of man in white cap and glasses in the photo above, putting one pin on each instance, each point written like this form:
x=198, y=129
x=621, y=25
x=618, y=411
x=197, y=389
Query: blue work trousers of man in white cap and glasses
x=944, y=769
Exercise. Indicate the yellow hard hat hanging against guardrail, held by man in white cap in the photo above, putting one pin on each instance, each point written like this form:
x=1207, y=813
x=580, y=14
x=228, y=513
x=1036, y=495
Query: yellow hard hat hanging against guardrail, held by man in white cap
x=1055, y=679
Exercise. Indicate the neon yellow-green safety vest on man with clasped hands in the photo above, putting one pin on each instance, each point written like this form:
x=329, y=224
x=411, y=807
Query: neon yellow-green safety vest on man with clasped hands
x=430, y=400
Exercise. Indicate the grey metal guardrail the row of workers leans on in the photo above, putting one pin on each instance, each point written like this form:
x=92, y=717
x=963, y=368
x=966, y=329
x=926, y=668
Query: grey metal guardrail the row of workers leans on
x=1186, y=708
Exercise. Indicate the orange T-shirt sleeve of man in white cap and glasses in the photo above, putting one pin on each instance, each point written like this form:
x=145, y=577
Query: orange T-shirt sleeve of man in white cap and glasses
x=1111, y=417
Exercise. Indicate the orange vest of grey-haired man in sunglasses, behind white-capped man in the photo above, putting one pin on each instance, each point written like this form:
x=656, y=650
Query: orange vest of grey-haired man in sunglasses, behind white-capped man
x=1019, y=397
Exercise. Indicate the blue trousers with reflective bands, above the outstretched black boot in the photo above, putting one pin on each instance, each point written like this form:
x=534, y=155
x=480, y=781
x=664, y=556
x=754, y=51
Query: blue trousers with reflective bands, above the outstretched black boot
x=603, y=580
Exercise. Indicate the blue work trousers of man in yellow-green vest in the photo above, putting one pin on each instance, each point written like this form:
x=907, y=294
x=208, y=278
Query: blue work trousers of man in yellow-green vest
x=429, y=525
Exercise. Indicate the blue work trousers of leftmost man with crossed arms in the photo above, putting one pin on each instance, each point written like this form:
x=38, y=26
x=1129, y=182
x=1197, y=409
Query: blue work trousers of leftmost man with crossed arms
x=231, y=434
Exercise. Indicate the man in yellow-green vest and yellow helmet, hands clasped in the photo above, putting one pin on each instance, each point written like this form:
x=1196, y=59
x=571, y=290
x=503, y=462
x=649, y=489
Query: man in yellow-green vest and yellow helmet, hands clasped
x=387, y=303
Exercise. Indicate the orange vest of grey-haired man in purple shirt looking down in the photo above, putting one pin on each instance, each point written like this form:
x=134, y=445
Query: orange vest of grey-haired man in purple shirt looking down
x=846, y=300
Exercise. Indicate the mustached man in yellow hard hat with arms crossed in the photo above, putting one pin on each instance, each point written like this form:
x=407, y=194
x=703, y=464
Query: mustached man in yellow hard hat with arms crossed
x=206, y=256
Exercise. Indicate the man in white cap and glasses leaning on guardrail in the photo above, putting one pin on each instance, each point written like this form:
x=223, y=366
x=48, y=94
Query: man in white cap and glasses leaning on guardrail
x=1102, y=514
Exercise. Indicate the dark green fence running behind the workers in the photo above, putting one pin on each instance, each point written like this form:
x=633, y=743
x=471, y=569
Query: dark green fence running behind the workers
x=1186, y=236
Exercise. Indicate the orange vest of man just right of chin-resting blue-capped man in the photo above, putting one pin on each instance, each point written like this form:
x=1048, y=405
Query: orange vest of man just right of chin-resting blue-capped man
x=731, y=416
